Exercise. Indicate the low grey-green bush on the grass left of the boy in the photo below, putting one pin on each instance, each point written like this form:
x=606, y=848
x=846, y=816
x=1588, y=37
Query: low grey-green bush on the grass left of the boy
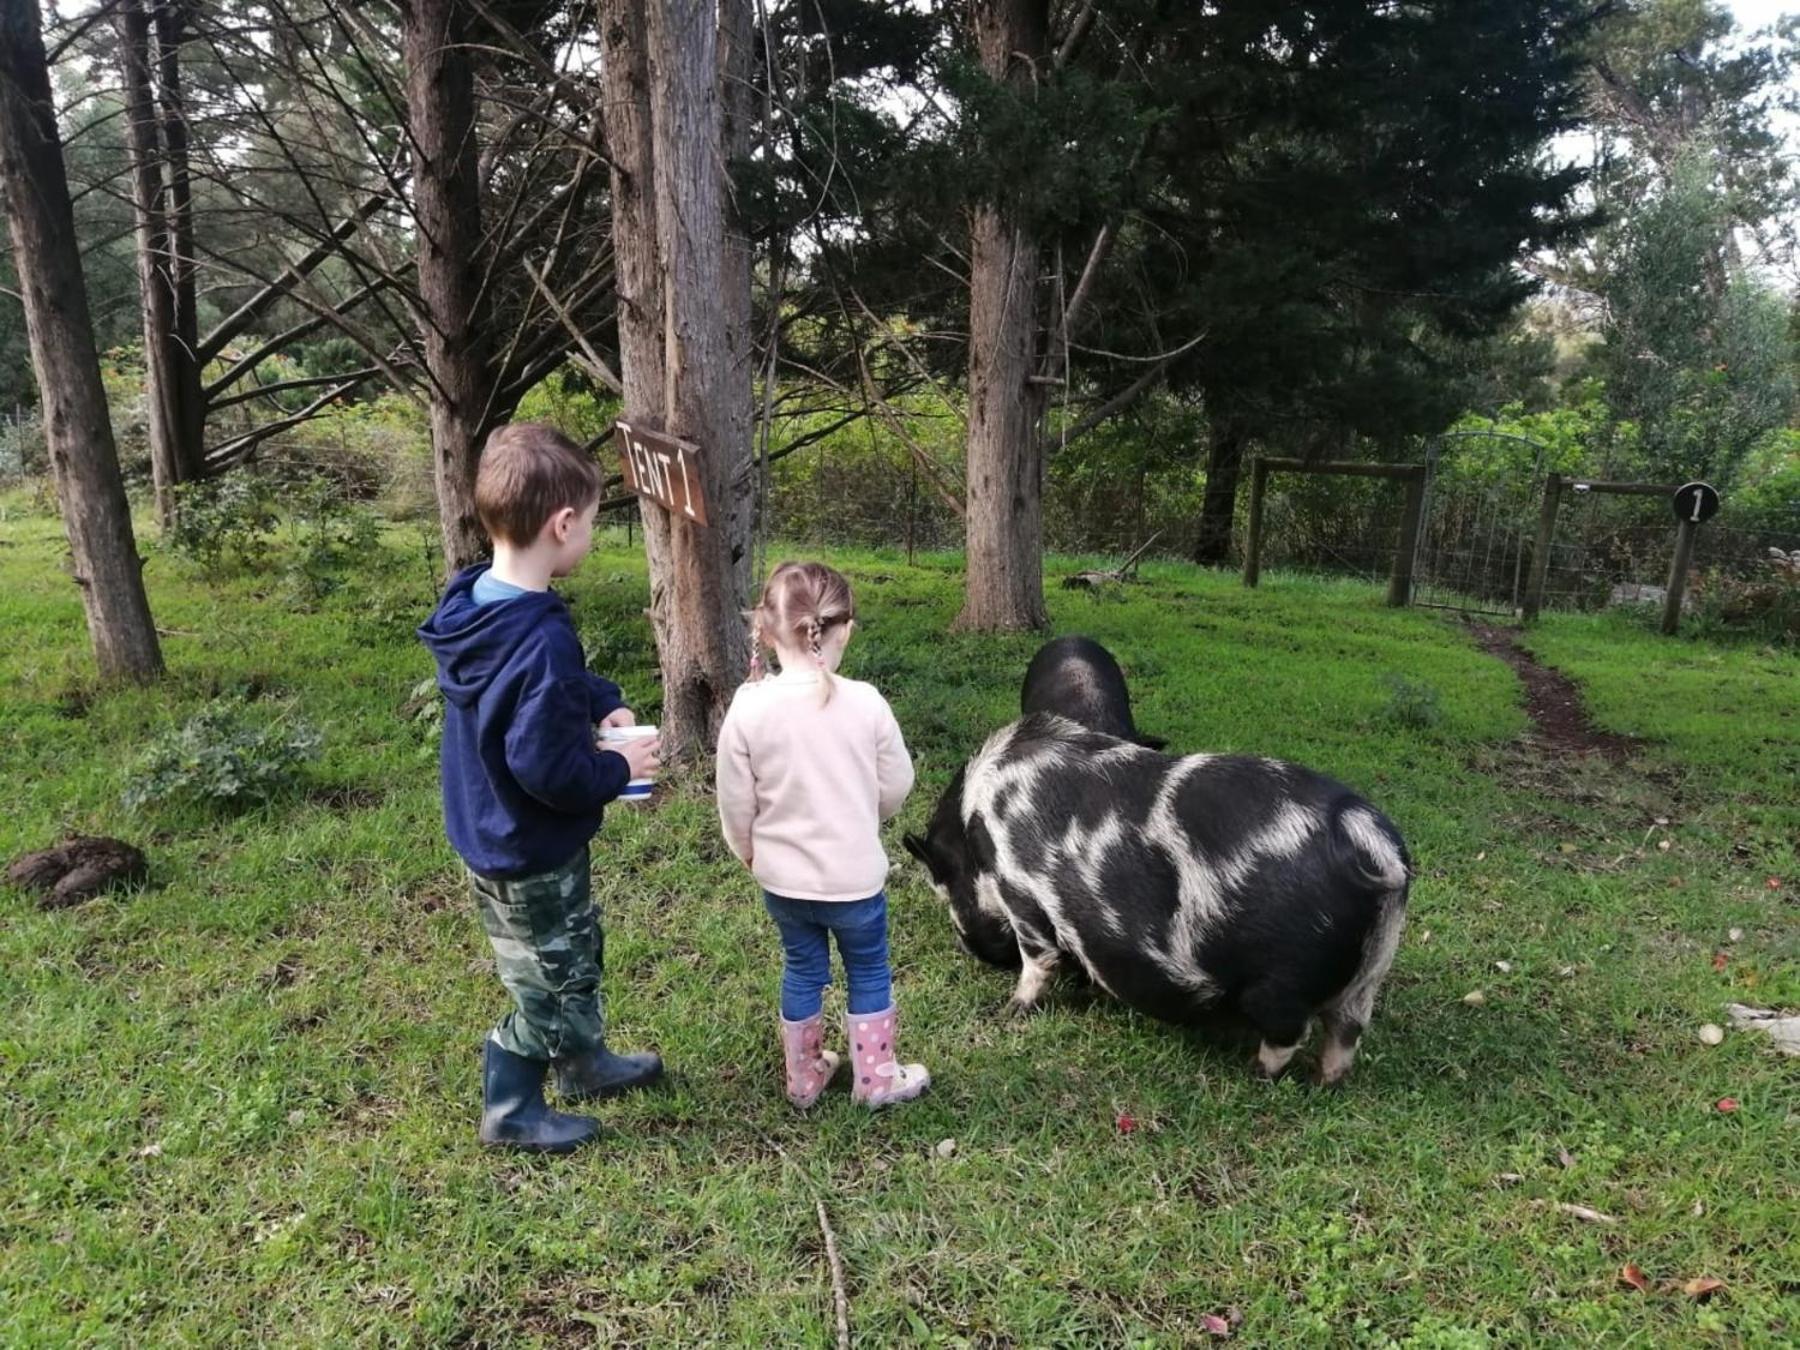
x=222, y=757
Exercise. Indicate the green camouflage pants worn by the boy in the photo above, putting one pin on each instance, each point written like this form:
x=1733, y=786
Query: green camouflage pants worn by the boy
x=548, y=951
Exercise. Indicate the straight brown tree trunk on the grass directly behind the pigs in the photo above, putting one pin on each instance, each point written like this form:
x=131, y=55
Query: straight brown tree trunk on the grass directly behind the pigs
x=1005, y=570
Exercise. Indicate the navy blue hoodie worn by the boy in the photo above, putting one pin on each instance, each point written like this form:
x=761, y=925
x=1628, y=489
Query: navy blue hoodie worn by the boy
x=525, y=786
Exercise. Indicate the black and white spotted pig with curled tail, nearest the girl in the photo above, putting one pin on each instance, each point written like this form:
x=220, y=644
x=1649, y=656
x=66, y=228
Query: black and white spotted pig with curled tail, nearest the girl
x=1178, y=885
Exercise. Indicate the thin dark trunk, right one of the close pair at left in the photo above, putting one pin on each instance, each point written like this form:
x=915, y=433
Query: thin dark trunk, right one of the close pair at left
x=186, y=404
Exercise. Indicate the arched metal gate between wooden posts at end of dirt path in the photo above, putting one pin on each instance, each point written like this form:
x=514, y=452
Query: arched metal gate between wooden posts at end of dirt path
x=1475, y=541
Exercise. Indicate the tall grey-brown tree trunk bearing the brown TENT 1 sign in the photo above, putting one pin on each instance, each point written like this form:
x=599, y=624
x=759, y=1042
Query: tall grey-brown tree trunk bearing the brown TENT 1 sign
x=696, y=573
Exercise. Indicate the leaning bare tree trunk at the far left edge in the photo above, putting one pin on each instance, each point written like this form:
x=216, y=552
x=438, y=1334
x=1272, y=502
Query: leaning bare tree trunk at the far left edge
x=76, y=424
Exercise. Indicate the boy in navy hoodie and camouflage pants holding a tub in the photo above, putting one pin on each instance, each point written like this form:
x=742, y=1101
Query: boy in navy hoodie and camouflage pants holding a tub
x=525, y=786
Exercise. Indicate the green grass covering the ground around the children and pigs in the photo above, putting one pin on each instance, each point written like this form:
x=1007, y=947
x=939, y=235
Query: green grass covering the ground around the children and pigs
x=242, y=1101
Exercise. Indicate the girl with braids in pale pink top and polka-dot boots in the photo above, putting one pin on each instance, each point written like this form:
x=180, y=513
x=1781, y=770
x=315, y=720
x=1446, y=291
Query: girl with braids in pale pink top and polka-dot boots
x=809, y=768
